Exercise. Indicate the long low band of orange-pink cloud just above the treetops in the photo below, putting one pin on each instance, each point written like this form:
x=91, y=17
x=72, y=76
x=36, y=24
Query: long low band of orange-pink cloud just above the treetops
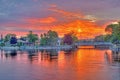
x=82, y=29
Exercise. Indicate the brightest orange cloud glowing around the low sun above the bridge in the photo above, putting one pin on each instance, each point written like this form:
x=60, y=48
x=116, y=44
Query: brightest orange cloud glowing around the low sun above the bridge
x=83, y=29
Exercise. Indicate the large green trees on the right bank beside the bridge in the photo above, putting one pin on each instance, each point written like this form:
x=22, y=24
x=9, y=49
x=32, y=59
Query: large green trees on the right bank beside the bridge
x=112, y=34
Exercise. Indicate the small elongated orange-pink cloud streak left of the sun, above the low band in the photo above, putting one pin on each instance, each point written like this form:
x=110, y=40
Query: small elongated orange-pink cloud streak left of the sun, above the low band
x=47, y=20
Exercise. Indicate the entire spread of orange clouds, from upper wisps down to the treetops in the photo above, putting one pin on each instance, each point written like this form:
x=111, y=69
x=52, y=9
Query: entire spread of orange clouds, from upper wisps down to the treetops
x=81, y=25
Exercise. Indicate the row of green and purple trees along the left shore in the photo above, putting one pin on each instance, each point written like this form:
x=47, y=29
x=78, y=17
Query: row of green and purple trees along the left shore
x=49, y=38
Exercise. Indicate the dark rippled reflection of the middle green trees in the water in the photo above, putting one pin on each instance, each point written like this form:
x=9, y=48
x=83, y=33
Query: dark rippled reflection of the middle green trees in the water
x=42, y=55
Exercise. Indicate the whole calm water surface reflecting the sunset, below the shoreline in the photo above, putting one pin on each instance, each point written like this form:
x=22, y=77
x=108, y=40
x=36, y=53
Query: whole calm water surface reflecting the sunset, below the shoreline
x=82, y=64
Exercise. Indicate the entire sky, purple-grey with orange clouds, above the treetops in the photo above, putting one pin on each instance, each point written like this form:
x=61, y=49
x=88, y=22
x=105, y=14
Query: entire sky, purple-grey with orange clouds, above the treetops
x=87, y=18
